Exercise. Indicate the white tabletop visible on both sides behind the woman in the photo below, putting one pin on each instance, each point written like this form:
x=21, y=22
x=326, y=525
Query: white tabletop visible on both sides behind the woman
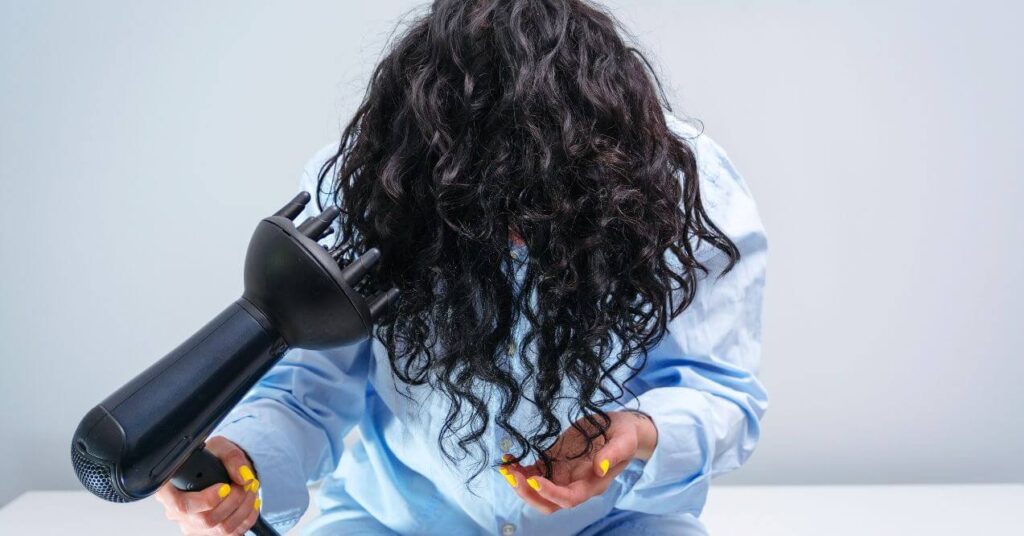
x=742, y=511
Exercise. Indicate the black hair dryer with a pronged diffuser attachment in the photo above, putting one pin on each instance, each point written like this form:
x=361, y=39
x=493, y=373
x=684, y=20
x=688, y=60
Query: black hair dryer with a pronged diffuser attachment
x=154, y=429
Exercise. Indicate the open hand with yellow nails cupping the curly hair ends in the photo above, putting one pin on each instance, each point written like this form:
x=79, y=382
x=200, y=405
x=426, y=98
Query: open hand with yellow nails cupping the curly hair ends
x=630, y=435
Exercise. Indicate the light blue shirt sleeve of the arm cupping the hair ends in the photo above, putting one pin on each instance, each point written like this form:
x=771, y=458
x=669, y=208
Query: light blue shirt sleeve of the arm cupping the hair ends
x=699, y=385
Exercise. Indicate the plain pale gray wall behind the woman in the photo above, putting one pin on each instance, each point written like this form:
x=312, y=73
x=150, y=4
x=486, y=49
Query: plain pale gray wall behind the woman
x=141, y=142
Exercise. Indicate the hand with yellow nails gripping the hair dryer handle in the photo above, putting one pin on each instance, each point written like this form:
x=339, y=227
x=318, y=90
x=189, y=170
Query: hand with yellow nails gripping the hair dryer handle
x=222, y=509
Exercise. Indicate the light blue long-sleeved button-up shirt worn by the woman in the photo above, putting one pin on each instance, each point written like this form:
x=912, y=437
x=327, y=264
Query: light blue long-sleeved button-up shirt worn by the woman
x=699, y=386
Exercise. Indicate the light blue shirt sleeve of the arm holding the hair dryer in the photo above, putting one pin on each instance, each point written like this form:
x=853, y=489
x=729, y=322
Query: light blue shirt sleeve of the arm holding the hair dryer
x=293, y=423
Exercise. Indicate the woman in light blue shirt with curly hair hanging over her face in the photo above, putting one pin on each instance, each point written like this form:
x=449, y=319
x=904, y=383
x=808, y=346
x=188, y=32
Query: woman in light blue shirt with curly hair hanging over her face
x=581, y=279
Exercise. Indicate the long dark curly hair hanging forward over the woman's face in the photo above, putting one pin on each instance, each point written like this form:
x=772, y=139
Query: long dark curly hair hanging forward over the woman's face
x=530, y=119
